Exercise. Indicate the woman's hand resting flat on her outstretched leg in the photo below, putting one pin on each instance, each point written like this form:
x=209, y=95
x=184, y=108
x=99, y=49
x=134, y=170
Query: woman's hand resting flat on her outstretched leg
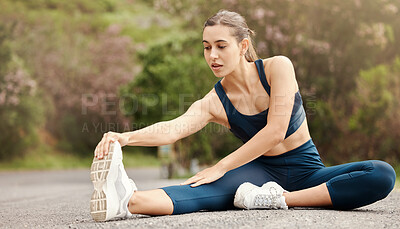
x=206, y=176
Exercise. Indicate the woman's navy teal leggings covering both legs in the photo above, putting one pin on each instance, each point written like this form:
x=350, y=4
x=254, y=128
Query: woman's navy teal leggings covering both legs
x=350, y=185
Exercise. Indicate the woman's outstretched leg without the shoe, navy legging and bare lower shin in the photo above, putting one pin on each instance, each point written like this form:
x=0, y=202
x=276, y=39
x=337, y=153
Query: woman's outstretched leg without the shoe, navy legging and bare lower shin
x=215, y=196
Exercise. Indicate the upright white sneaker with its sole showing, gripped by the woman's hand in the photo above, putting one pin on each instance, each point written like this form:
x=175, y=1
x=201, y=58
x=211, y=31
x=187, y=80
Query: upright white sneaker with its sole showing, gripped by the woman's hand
x=112, y=187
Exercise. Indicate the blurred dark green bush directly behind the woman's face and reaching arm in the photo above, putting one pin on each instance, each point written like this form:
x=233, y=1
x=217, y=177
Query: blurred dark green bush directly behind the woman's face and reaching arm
x=174, y=75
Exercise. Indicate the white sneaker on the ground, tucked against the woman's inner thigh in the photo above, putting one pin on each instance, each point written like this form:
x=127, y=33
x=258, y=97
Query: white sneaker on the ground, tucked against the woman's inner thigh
x=269, y=196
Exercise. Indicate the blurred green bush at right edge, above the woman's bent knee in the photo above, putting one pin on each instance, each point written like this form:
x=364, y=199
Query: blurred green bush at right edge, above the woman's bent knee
x=375, y=121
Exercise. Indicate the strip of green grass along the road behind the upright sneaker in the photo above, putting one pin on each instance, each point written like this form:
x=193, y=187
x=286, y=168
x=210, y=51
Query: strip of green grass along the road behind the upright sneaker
x=46, y=158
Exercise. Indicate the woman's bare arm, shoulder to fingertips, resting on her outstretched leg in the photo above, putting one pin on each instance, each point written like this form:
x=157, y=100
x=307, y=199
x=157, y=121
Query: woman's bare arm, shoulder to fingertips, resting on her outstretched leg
x=283, y=89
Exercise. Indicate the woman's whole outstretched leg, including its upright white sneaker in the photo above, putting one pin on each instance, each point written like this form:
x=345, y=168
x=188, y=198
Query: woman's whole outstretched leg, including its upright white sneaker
x=116, y=196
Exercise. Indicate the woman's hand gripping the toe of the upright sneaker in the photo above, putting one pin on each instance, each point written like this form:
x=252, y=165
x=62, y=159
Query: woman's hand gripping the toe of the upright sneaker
x=104, y=145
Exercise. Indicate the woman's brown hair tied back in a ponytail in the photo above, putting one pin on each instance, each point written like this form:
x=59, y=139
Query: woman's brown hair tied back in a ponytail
x=239, y=26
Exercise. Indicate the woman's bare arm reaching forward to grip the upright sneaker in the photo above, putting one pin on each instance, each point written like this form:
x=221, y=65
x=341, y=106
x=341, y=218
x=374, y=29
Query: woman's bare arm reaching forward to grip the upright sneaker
x=162, y=133
